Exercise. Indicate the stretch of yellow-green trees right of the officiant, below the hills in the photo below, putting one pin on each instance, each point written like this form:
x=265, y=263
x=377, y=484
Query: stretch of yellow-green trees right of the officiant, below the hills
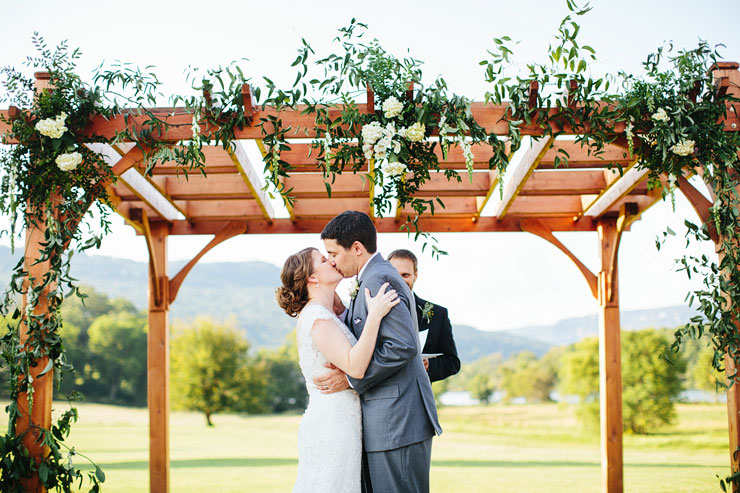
x=652, y=377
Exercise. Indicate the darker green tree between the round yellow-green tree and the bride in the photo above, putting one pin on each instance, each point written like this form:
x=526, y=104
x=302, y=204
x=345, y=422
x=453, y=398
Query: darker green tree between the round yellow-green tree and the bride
x=286, y=388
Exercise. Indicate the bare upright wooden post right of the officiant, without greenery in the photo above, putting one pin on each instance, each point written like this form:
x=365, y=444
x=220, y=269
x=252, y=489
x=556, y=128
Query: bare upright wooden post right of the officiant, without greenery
x=610, y=365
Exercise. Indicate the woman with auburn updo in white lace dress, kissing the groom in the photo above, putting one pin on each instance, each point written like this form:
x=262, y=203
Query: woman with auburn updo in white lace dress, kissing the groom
x=330, y=435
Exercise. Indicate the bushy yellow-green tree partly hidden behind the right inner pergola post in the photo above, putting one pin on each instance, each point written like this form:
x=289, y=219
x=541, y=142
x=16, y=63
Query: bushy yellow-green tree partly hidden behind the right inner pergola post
x=650, y=384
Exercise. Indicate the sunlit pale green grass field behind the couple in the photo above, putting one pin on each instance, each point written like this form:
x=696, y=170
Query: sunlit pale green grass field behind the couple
x=499, y=448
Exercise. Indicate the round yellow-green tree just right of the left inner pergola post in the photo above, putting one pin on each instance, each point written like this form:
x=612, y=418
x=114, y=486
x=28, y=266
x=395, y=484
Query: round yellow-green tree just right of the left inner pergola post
x=212, y=372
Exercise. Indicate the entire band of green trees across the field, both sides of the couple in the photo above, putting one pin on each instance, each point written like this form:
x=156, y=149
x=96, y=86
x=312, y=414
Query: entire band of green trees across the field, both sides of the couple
x=213, y=369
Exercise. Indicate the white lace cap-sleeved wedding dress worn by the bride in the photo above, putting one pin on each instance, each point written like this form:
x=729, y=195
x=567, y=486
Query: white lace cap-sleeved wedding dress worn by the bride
x=330, y=435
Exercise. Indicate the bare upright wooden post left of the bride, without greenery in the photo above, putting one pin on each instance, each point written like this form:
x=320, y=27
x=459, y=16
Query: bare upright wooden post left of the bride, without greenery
x=158, y=359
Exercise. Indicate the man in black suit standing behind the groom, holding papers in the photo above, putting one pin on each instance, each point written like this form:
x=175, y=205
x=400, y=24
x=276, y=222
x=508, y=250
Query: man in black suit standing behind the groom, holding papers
x=435, y=330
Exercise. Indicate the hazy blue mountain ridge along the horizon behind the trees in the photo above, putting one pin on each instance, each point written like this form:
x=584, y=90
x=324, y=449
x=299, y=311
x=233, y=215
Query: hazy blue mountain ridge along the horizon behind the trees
x=244, y=293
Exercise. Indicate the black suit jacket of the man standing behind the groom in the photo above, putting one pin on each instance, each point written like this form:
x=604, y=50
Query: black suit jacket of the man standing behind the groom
x=439, y=340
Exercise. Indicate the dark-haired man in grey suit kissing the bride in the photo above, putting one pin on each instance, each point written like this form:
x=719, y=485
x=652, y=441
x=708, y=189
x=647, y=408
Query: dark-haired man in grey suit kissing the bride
x=399, y=416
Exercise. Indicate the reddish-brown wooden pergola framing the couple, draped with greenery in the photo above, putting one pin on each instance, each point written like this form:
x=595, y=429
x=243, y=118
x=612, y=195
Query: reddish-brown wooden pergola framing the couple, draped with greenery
x=538, y=198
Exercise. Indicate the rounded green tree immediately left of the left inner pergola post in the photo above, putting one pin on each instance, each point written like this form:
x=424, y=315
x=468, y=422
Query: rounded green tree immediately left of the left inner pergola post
x=117, y=343
